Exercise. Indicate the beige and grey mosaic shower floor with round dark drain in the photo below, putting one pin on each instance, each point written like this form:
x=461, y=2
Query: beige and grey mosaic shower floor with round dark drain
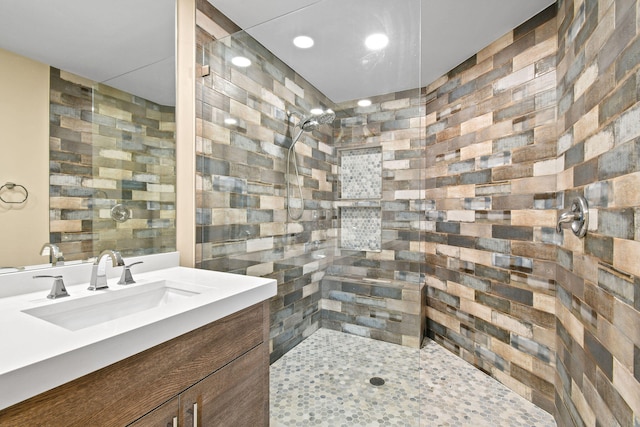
x=324, y=381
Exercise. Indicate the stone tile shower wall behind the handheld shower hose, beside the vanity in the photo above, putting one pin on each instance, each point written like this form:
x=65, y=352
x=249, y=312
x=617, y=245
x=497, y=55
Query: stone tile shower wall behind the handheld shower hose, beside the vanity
x=242, y=223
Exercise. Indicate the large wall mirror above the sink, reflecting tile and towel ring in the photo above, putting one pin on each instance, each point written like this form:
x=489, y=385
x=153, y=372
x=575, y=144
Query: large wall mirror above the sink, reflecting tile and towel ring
x=87, y=112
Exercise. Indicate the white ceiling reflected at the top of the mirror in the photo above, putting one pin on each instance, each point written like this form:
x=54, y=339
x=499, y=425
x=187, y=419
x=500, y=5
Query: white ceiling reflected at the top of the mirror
x=127, y=44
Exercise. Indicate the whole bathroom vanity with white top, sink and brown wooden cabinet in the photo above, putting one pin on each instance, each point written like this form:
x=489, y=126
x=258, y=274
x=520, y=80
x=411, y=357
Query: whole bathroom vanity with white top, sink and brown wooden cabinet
x=180, y=347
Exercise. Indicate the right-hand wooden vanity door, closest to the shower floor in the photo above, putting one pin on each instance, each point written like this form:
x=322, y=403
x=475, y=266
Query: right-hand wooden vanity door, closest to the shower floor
x=236, y=395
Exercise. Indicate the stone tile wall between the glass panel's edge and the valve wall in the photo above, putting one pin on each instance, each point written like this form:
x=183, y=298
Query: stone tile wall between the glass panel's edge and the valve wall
x=490, y=201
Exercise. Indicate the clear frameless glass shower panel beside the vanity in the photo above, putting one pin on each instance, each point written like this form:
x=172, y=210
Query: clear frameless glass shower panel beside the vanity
x=256, y=101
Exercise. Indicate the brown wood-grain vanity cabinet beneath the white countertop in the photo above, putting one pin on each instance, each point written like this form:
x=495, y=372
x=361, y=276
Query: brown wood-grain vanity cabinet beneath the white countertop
x=222, y=367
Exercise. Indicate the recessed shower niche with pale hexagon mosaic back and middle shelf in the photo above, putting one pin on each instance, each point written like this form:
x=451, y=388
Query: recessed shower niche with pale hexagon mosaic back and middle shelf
x=359, y=204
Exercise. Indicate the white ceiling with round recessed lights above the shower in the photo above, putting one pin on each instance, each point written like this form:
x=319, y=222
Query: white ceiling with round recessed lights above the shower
x=427, y=37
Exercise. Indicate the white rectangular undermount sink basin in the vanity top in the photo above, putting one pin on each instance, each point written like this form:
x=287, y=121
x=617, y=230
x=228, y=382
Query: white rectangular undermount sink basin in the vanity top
x=111, y=304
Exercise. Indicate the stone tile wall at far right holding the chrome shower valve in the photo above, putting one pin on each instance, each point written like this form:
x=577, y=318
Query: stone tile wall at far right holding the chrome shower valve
x=598, y=156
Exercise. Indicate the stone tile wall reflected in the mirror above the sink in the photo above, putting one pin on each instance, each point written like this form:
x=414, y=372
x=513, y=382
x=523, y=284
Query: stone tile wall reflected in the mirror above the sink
x=109, y=147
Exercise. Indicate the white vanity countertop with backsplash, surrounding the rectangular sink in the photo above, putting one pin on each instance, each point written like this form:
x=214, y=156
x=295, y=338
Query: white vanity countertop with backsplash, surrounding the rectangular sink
x=37, y=355
